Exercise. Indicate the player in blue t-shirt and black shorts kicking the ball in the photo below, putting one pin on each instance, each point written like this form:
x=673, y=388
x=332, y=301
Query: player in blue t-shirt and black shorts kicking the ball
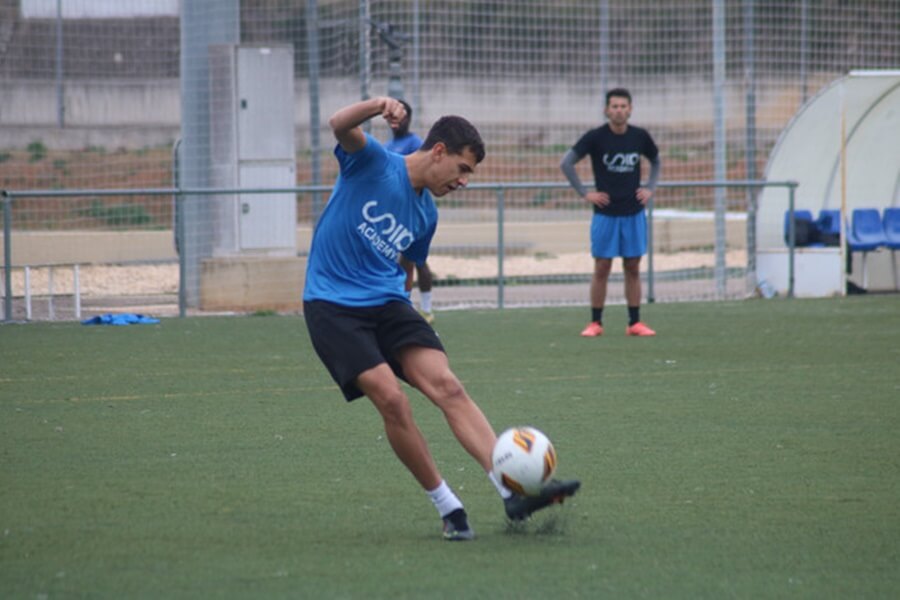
x=360, y=320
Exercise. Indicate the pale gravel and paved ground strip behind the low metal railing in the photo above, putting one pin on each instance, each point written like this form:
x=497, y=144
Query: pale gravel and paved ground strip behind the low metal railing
x=153, y=288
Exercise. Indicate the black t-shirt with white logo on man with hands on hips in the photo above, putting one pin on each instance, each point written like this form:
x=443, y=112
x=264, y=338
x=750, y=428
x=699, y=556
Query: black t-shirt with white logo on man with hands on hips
x=616, y=160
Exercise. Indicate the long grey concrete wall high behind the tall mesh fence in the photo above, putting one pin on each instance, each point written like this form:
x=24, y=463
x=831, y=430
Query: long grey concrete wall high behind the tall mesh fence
x=138, y=113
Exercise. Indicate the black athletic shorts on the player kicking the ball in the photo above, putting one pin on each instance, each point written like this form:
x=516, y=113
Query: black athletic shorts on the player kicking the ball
x=353, y=339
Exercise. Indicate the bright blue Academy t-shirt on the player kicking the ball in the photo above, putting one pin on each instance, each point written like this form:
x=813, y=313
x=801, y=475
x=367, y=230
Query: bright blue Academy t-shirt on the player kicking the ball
x=373, y=215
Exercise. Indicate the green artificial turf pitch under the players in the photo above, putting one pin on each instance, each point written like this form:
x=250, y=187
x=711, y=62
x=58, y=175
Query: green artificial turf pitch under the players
x=751, y=450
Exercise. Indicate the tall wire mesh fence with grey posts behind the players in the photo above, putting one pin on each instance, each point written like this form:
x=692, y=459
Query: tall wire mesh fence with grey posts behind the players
x=93, y=95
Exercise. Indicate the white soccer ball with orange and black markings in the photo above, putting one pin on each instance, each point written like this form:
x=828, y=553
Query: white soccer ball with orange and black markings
x=523, y=460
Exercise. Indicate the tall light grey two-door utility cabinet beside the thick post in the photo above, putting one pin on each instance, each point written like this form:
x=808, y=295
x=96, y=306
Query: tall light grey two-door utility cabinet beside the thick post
x=251, y=101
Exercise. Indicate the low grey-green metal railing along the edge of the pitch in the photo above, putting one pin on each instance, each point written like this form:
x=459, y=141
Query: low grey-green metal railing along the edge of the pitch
x=500, y=189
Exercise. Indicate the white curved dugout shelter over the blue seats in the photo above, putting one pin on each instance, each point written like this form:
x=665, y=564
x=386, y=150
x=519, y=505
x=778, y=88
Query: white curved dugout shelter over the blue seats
x=843, y=149
